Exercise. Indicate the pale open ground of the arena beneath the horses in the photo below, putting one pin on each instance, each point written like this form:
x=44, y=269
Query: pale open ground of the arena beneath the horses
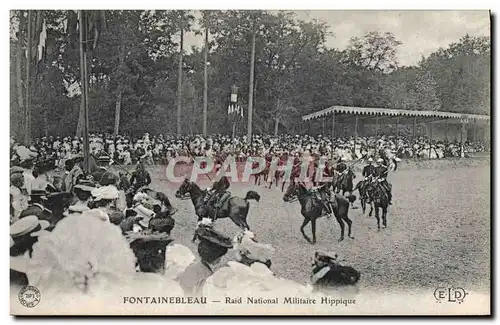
x=438, y=230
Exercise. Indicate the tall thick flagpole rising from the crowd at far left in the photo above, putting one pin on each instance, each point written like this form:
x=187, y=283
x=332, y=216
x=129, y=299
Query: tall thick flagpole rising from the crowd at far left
x=84, y=85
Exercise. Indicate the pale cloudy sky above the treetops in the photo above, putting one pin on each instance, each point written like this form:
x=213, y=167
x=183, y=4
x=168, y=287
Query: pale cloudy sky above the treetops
x=422, y=32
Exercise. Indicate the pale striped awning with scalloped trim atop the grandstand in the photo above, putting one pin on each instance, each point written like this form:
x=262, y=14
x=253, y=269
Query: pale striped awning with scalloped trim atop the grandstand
x=385, y=112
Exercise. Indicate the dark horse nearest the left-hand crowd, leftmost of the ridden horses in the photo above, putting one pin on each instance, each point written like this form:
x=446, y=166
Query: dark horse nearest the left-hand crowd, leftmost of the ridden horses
x=235, y=208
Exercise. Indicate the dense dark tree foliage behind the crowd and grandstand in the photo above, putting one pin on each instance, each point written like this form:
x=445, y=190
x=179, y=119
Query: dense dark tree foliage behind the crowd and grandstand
x=135, y=67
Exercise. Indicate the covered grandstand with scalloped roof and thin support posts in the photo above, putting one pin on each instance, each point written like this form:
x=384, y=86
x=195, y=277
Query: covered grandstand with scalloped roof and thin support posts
x=478, y=124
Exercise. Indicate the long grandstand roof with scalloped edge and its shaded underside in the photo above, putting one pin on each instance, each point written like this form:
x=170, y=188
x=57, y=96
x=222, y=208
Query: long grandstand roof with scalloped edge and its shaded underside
x=370, y=115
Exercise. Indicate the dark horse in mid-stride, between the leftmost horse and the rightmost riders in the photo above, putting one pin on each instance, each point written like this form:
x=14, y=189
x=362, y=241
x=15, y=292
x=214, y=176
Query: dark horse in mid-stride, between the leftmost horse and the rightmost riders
x=312, y=209
